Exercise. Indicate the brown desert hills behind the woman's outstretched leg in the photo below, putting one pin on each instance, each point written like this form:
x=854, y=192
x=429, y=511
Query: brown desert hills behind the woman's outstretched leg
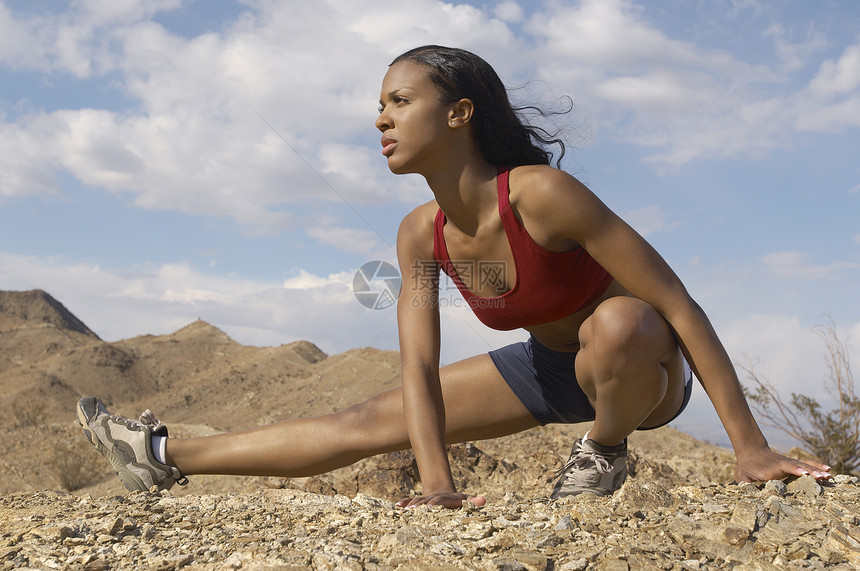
x=197, y=377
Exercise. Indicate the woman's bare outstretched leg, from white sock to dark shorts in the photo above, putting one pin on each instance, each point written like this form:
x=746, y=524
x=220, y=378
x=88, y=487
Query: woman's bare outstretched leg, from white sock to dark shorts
x=478, y=404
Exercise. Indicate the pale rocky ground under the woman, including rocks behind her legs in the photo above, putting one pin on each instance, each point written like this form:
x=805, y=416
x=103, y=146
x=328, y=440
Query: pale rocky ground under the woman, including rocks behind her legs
x=676, y=511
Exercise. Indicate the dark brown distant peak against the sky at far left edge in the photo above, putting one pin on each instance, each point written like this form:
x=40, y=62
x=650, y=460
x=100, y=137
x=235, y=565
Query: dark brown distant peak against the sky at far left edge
x=37, y=308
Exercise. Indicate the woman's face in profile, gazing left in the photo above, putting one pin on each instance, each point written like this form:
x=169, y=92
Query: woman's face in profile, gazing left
x=413, y=122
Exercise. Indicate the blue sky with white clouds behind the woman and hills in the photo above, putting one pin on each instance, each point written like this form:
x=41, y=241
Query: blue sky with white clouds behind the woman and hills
x=164, y=160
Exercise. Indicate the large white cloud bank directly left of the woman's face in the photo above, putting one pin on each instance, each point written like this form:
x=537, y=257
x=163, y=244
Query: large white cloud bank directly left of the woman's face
x=240, y=123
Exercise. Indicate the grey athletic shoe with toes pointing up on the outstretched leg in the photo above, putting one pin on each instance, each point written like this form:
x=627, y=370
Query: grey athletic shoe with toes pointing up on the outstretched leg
x=127, y=445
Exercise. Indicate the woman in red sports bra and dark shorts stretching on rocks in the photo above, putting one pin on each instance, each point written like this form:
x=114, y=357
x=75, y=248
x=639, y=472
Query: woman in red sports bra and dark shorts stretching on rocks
x=612, y=327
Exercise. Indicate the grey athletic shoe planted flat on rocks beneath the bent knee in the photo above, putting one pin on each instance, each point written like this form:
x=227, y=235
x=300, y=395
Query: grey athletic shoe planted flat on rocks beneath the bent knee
x=592, y=468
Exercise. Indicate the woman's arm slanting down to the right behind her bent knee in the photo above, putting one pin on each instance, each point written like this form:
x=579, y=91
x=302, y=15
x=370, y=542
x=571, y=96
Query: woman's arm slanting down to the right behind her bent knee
x=572, y=212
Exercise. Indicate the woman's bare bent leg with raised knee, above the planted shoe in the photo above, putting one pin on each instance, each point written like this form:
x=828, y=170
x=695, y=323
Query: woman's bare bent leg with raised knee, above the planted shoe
x=630, y=367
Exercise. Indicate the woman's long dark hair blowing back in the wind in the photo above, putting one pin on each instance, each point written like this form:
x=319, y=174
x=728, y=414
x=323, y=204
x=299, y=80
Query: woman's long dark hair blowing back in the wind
x=502, y=136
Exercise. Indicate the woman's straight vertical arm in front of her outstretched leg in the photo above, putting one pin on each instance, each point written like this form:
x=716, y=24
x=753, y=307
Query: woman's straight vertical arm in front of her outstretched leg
x=418, y=328
